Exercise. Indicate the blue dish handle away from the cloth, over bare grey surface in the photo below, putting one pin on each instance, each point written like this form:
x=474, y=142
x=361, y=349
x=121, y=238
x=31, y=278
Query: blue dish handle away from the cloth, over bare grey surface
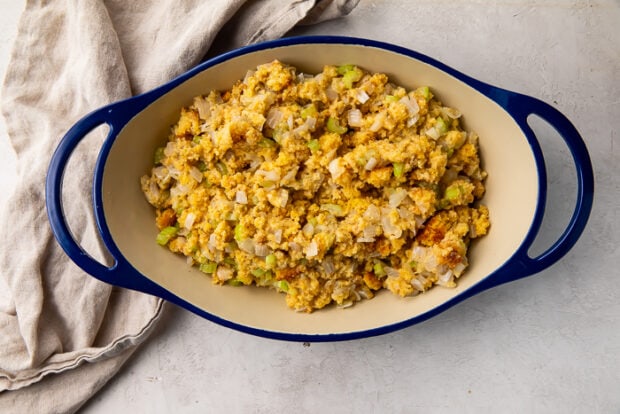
x=521, y=264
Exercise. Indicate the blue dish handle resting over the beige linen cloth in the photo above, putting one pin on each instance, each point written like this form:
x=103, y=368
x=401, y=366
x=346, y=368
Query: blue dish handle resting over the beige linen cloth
x=115, y=116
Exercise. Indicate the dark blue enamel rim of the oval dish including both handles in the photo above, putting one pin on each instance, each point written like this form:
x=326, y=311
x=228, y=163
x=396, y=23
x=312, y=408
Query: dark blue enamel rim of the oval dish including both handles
x=519, y=265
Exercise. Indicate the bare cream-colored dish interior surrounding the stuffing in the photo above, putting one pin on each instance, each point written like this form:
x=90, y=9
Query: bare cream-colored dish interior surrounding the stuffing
x=511, y=196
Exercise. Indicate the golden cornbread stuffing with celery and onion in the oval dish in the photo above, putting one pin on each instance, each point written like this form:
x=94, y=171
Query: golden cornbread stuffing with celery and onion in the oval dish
x=328, y=188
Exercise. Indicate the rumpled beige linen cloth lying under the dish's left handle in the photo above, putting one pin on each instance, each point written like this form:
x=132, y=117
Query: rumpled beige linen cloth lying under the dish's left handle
x=64, y=334
